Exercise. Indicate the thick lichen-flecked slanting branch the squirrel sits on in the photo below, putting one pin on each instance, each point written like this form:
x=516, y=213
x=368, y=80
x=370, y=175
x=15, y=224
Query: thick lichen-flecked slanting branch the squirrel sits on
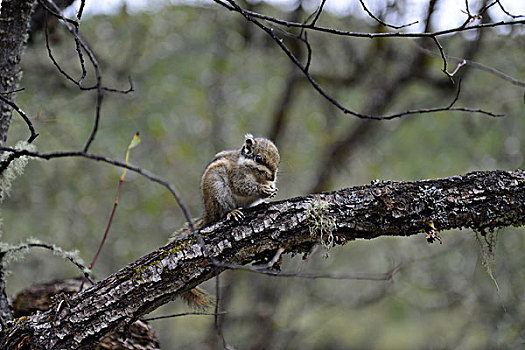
x=480, y=201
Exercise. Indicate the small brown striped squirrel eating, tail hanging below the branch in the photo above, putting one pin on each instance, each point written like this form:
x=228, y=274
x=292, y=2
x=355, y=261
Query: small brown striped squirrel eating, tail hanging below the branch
x=235, y=179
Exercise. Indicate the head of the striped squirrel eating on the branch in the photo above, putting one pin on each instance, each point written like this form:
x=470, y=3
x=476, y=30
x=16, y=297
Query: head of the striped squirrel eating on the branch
x=264, y=155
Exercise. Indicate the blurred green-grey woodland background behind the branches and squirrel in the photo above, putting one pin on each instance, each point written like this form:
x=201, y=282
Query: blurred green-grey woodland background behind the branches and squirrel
x=204, y=77
